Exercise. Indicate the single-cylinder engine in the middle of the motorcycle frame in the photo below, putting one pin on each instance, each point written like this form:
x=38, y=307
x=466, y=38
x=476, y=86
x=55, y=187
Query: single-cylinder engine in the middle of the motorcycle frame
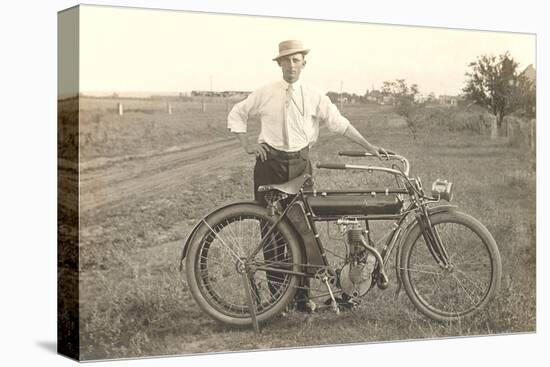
x=356, y=275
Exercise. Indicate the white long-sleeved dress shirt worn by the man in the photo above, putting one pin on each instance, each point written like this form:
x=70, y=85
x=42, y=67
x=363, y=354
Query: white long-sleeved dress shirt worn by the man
x=289, y=119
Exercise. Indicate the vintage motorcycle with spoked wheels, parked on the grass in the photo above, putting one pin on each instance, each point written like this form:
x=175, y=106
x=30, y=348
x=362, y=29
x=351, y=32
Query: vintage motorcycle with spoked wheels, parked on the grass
x=244, y=262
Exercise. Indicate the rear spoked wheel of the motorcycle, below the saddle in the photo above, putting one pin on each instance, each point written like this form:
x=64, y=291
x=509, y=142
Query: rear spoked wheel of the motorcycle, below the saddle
x=212, y=272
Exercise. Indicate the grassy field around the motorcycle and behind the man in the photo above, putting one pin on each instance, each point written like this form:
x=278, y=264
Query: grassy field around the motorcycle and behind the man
x=135, y=302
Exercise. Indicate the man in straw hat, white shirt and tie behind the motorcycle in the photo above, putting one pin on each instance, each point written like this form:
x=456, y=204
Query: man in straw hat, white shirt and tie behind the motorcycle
x=290, y=112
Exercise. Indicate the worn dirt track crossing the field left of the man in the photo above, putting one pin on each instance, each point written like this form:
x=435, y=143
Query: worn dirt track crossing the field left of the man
x=136, y=179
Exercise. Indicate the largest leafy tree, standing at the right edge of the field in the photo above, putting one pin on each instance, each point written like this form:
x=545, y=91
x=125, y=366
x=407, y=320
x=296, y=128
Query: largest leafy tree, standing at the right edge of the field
x=495, y=84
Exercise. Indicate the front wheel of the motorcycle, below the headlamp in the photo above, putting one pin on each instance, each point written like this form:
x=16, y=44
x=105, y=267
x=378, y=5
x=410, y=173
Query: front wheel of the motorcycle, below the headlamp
x=474, y=280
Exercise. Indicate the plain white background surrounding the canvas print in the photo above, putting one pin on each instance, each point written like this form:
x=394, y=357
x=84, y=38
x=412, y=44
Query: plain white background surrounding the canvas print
x=28, y=151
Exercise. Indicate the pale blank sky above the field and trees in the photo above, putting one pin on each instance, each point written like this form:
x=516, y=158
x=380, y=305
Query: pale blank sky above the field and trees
x=142, y=50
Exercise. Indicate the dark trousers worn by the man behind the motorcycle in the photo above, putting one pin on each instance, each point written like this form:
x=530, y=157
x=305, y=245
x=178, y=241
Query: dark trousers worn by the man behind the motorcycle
x=278, y=169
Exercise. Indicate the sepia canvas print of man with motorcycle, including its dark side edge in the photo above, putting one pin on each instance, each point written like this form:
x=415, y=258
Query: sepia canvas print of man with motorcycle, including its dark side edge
x=232, y=183
